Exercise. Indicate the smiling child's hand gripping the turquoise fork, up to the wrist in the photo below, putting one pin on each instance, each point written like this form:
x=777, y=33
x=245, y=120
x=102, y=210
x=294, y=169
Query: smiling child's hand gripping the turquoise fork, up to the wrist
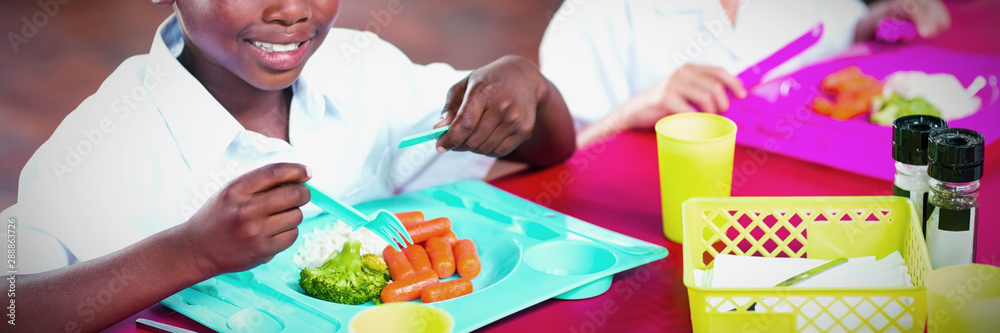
x=247, y=222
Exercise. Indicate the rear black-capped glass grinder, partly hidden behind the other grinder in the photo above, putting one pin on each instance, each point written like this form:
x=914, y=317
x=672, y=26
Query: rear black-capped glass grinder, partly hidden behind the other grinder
x=909, y=149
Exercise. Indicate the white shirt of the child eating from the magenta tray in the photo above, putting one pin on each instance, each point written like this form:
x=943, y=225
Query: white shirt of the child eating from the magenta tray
x=599, y=53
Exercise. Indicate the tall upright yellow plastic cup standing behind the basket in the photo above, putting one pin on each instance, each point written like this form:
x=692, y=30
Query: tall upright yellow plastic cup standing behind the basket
x=695, y=159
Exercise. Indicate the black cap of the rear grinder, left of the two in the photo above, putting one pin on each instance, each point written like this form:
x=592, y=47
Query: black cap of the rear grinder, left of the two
x=909, y=137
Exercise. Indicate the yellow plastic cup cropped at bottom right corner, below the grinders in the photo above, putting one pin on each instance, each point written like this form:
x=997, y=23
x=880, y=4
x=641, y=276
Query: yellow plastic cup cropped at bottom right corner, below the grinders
x=964, y=298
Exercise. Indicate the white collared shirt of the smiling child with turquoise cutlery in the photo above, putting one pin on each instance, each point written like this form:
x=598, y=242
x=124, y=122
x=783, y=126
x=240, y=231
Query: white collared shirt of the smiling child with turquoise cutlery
x=151, y=145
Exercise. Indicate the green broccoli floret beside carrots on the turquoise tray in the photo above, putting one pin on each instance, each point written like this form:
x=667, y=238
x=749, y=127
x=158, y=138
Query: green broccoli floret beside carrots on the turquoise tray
x=346, y=277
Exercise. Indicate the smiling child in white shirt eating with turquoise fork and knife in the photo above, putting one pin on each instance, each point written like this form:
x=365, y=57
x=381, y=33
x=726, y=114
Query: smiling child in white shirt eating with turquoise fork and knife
x=188, y=161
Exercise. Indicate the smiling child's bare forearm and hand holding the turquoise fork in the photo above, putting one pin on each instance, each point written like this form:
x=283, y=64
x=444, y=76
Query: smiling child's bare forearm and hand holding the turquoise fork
x=242, y=226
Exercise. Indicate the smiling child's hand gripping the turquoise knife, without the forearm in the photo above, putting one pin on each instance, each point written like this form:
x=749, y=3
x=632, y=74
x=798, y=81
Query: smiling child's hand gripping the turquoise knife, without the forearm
x=492, y=111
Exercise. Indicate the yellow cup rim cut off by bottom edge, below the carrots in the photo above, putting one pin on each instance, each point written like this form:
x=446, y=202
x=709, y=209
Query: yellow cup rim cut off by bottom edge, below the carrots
x=402, y=317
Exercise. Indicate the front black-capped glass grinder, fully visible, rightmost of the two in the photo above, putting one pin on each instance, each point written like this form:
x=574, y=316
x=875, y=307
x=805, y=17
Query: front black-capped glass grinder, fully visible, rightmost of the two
x=955, y=165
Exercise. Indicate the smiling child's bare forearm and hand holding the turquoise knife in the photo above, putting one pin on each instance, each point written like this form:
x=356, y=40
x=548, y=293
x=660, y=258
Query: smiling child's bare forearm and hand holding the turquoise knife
x=508, y=109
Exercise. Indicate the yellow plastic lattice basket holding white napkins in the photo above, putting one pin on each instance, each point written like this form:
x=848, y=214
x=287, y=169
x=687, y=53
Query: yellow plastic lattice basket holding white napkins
x=805, y=227
